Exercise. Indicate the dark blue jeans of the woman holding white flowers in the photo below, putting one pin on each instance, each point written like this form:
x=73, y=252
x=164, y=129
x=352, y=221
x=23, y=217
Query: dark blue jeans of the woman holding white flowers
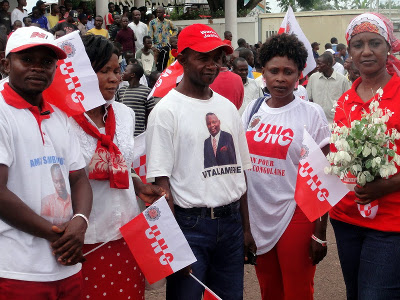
x=370, y=261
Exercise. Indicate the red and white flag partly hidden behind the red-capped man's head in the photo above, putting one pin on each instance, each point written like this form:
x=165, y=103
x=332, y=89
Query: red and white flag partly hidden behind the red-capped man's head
x=167, y=81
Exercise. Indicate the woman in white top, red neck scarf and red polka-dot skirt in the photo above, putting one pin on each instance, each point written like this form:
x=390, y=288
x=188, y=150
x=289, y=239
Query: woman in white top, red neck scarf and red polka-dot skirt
x=106, y=138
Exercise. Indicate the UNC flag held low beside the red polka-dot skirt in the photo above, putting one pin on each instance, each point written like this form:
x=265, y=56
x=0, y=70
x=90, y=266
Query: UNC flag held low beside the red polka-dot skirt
x=157, y=242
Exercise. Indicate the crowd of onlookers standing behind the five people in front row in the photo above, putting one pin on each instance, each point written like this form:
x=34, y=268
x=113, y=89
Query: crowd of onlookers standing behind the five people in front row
x=150, y=41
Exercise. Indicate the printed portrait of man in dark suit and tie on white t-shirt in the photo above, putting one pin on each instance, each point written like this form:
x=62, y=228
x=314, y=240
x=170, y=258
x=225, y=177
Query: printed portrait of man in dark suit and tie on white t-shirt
x=219, y=149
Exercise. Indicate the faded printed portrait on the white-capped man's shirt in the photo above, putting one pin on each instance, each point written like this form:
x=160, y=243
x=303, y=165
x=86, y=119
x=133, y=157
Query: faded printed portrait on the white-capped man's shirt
x=57, y=207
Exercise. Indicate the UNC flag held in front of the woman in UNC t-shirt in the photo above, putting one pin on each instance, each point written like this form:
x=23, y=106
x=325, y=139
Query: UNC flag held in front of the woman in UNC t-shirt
x=316, y=192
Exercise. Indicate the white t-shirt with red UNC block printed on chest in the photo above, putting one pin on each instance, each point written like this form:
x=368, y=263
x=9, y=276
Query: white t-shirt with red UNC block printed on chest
x=274, y=136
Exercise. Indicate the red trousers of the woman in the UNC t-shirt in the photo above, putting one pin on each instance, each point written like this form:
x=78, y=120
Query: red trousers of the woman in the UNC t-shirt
x=286, y=271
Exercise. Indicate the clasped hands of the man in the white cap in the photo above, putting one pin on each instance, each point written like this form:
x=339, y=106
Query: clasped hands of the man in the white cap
x=69, y=246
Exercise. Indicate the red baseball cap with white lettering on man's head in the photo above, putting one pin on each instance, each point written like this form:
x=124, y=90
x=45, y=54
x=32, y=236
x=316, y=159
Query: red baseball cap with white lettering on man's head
x=201, y=38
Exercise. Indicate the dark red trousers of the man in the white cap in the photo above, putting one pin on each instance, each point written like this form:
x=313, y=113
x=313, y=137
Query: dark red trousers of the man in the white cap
x=66, y=289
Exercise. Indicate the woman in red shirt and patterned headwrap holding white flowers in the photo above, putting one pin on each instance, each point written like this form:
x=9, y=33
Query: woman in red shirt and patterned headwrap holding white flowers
x=367, y=221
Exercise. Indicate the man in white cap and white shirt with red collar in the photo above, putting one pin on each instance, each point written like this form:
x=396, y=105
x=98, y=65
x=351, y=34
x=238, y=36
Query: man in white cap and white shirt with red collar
x=40, y=252
